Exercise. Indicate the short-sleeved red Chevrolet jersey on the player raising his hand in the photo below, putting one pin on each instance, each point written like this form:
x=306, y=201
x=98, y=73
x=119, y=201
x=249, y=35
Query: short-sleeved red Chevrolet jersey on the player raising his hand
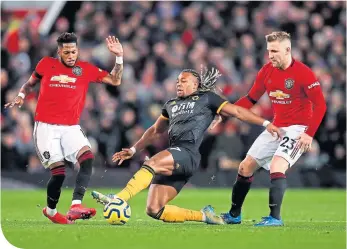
x=63, y=90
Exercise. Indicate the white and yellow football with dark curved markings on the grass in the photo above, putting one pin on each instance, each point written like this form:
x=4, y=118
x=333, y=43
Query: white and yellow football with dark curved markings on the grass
x=117, y=212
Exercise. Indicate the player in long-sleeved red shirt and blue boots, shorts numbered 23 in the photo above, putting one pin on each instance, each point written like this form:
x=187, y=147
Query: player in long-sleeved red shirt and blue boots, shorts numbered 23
x=298, y=105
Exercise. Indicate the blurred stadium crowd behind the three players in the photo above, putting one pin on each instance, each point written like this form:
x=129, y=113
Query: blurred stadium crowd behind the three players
x=159, y=40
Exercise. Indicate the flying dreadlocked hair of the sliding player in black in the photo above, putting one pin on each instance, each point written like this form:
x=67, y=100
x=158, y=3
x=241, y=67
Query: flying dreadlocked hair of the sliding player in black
x=207, y=79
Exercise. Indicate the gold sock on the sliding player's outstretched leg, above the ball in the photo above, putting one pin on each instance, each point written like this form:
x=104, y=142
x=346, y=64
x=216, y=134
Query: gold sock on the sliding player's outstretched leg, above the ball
x=141, y=180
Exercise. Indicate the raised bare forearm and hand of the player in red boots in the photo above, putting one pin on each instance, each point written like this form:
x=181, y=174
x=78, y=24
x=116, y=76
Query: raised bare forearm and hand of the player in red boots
x=115, y=47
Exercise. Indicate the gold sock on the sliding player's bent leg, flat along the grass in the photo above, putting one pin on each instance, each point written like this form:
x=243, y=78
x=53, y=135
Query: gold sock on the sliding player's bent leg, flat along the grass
x=177, y=214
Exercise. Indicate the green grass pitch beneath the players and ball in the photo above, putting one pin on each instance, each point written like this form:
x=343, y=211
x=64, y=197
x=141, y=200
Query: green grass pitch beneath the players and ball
x=313, y=219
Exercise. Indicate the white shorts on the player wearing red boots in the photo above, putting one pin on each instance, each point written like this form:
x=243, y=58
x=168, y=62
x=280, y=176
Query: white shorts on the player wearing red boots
x=54, y=143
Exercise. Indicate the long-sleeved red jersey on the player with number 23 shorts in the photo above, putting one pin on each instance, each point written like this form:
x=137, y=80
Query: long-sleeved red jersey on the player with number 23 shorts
x=295, y=94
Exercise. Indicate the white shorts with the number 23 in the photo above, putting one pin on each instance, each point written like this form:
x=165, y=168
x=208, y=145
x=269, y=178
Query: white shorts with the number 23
x=266, y=146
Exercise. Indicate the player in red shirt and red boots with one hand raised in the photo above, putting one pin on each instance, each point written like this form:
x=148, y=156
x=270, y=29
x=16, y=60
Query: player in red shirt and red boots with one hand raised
x=57, y=135
